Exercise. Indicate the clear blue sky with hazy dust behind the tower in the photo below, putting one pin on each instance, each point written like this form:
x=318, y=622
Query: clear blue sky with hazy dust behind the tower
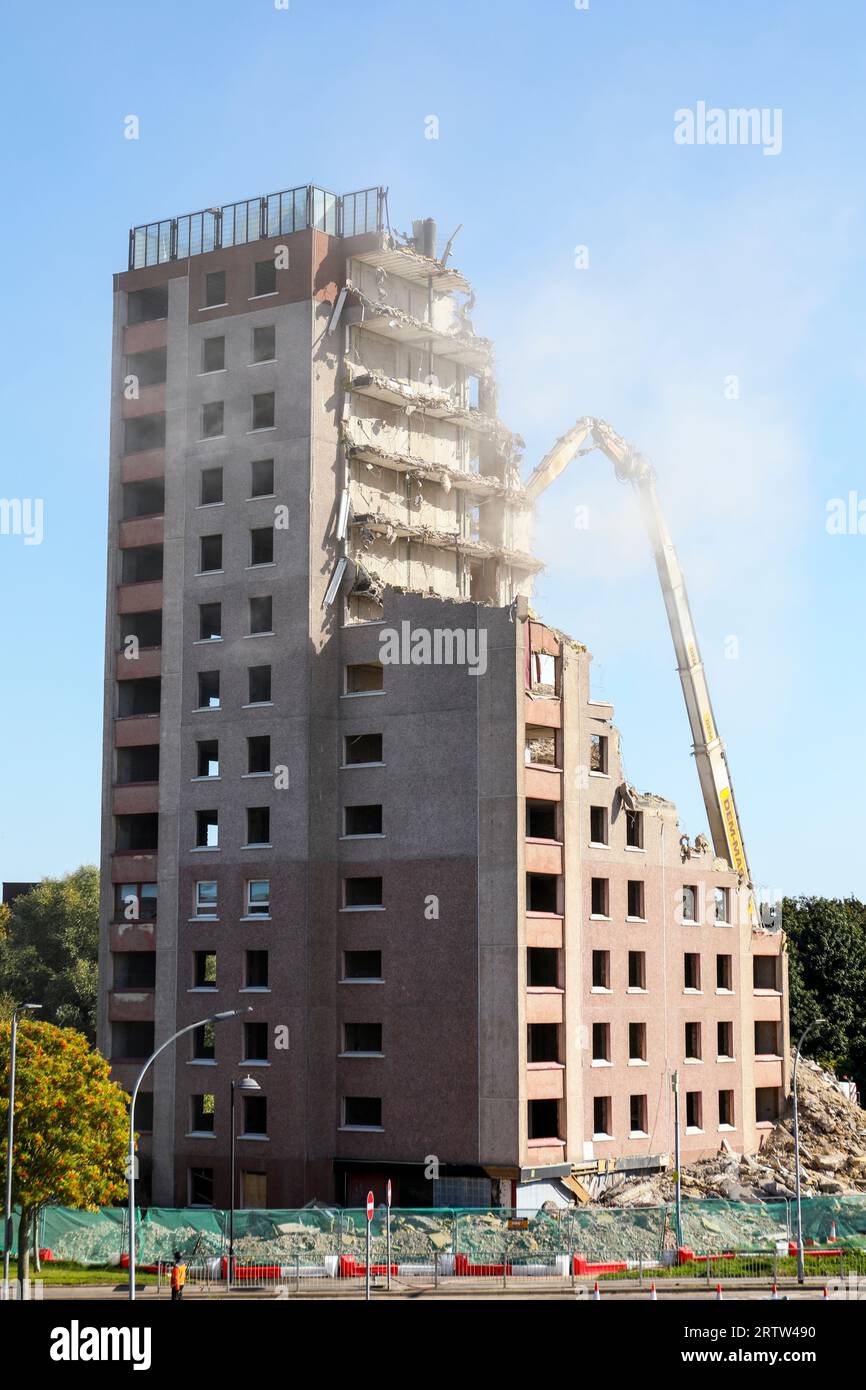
x=555, y=131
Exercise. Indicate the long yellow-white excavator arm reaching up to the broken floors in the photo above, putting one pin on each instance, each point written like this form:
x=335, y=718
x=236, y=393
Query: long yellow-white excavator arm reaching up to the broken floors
x=633, y=468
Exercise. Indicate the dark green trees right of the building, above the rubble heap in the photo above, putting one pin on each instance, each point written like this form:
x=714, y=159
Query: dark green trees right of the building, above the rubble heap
x=826, y=942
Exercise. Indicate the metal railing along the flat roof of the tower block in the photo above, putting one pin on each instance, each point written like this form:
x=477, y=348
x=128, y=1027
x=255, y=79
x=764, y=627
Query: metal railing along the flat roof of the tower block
x=277, y=215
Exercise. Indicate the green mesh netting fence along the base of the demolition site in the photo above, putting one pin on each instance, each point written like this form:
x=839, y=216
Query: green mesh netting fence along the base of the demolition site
x=418, y=1236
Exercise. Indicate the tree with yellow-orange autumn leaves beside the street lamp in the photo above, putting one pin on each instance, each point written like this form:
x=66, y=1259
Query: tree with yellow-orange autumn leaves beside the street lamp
x=72, y=1122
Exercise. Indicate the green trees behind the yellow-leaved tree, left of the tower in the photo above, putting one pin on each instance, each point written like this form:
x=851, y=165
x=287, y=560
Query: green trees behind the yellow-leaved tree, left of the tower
x=49, y=946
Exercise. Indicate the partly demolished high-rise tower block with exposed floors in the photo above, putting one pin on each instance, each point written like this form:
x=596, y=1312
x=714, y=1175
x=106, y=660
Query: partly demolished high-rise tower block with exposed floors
x=352, y=786
